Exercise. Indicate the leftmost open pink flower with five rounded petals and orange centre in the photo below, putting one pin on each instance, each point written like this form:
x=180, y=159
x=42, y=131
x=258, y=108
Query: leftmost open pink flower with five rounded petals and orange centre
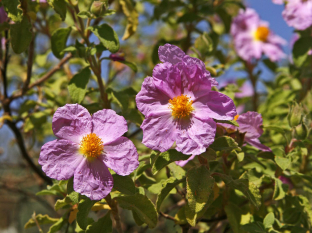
x=86, y=146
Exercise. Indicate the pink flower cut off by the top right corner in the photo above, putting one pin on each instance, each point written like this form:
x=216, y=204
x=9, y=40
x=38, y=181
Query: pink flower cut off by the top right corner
x=297, y=13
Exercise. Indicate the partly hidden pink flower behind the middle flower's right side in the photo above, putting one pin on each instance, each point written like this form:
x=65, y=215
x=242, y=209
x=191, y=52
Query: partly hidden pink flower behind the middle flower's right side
x=250, y=123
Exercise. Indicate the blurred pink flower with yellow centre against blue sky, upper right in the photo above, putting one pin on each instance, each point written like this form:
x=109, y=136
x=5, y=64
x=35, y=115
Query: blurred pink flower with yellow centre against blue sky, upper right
x=252, y=37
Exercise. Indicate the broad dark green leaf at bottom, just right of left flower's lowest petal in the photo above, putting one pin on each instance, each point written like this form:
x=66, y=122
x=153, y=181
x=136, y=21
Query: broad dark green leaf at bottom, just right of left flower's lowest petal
x=142, y=206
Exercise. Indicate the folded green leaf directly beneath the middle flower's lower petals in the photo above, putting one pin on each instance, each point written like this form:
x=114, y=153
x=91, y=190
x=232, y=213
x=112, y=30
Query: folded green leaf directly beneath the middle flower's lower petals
x=161, y=160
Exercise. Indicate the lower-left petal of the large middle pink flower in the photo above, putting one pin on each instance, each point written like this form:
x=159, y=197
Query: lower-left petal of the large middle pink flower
x=159, y=131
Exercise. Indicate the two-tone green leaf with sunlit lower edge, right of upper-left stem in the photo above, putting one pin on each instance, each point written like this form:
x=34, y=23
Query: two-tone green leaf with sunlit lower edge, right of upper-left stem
x=107, y=36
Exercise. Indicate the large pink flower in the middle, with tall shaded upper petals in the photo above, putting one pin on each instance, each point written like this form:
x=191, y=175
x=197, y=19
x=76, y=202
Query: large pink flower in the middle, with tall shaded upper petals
x=179, y=105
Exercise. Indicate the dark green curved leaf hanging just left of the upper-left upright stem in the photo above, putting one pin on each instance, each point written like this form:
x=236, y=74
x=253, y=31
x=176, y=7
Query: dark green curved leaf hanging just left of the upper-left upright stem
x=58, y=41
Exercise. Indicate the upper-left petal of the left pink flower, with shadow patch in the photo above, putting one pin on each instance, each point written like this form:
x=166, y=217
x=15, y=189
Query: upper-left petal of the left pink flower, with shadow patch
x=71, y=122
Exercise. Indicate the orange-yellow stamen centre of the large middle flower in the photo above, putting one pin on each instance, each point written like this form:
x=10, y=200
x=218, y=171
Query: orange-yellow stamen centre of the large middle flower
x=181, y=106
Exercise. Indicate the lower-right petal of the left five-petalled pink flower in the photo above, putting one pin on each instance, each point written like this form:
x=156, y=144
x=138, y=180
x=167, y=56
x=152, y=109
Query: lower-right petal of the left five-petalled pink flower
x=121, y=156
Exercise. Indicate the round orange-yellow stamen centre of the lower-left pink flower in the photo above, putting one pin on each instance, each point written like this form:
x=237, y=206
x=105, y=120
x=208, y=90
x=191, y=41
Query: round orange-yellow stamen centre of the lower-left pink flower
x=91, y=146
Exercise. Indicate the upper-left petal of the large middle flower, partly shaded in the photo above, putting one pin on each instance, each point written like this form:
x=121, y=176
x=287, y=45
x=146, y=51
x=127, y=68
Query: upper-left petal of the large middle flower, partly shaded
x=150, y=98
